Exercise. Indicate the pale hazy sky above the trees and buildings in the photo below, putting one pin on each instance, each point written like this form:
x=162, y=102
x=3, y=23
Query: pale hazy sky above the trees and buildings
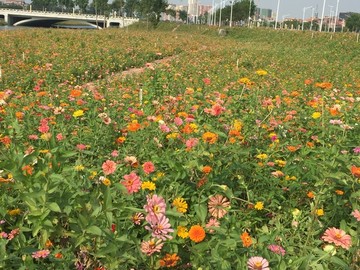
x=294, y=8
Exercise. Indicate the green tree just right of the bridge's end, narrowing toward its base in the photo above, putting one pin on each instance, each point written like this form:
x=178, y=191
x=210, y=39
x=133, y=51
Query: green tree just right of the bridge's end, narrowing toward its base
x=152, y=9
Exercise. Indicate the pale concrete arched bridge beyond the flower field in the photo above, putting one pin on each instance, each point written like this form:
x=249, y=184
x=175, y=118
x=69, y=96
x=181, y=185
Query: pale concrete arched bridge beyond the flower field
x=18, y=17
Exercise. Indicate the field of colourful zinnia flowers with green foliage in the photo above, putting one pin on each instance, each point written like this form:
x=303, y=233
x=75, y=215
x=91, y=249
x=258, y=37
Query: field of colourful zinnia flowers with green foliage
x=236, y=152
